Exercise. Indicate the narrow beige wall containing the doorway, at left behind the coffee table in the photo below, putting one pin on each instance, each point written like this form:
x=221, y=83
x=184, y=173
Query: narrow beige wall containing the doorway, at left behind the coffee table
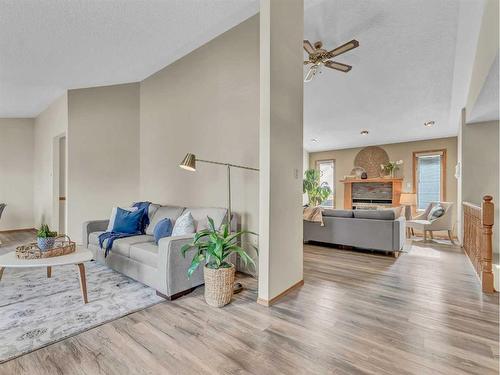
x=49, y=125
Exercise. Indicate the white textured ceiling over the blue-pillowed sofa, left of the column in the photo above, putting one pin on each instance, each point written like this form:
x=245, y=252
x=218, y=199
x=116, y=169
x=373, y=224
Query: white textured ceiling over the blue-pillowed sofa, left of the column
x=48, y=46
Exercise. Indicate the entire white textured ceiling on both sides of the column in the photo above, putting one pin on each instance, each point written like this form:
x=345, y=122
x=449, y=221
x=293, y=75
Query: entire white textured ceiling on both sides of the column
x=405, y=71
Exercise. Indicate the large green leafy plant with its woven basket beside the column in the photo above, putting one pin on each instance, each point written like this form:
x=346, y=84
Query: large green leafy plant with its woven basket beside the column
x=213, y=247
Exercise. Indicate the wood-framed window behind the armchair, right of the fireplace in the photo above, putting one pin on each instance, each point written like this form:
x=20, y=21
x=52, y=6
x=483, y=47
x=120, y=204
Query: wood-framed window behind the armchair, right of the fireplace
x=429, y=177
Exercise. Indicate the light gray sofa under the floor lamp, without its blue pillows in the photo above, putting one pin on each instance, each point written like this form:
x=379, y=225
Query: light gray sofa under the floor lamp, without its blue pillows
x=161, y=266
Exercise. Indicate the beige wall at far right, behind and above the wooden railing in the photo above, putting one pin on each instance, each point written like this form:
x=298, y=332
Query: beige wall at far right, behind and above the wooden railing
x=480, y=166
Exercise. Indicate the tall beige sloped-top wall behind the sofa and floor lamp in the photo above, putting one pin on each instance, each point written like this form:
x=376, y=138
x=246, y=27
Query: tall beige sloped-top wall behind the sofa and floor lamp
x=206, y=103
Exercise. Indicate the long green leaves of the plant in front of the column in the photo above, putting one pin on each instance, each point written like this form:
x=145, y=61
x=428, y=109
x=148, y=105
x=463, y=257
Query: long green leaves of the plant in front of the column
x=214, y=246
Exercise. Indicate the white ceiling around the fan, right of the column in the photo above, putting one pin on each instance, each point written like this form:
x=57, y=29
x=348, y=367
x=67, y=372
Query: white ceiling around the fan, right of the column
x=403, y=71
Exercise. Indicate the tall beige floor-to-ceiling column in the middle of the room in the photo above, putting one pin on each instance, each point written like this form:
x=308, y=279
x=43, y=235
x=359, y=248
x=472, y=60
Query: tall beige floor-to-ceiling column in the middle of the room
x=281, y=128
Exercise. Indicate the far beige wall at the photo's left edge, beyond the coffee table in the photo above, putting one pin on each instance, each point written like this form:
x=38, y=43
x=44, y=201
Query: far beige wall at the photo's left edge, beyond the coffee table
x=16, y=173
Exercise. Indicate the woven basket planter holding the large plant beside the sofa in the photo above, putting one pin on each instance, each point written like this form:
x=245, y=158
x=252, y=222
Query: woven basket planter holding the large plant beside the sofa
x=219, y=285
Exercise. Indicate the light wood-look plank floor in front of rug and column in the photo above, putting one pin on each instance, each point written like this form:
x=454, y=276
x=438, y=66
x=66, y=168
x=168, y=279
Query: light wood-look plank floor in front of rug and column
x=358, y=313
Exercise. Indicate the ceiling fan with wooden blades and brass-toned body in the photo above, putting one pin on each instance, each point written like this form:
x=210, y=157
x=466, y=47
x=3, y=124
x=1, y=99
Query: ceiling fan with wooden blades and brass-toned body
x=318, y=56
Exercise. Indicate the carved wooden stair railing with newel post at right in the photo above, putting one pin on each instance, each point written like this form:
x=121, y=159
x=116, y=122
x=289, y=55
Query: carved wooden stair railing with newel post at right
x=478, y=239
